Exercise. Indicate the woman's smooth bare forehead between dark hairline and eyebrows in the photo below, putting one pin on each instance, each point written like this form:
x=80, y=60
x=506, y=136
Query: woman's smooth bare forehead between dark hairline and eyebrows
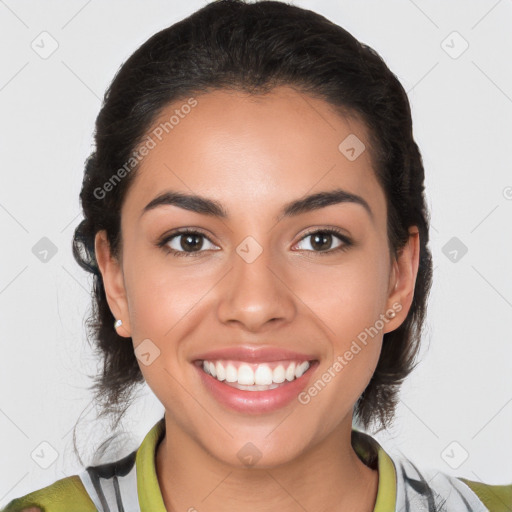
x=243, y=150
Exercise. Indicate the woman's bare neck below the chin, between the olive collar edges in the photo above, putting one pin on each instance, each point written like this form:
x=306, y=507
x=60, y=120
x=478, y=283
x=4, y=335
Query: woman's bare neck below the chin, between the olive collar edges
x=328, y=477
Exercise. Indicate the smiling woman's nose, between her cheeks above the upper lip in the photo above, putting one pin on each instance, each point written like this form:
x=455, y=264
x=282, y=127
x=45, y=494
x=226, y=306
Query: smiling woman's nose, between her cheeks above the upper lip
x=255, y=294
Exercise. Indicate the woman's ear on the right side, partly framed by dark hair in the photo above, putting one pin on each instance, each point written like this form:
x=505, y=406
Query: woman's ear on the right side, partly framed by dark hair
x=403, y=280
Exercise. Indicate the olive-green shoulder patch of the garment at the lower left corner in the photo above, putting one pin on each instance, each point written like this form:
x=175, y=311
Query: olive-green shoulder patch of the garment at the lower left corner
x=62, y=496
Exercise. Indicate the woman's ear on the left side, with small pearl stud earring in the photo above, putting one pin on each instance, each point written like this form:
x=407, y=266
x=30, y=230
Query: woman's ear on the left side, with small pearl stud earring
x=113, y=282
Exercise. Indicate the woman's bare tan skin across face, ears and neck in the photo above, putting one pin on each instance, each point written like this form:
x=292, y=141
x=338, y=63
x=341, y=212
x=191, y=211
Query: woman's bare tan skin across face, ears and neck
x=253, y=155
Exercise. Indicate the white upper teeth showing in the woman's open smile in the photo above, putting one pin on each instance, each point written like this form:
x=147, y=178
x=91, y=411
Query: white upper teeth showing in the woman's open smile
x=259, y=374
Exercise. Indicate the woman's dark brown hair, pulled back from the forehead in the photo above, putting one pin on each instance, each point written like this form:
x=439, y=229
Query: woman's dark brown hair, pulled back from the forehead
x=254, y=47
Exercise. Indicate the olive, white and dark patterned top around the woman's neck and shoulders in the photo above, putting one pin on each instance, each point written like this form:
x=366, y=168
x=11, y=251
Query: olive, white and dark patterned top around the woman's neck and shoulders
x=131, y=485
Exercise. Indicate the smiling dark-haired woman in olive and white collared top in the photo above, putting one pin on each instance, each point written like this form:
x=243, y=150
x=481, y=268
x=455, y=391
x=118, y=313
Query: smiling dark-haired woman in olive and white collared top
x=255, y=220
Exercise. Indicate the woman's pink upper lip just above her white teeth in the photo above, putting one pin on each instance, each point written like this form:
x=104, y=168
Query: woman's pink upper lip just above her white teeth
x=253, y=354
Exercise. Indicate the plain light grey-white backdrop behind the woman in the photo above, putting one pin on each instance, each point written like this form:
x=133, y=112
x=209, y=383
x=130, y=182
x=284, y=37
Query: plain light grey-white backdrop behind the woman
x=454, y=60
